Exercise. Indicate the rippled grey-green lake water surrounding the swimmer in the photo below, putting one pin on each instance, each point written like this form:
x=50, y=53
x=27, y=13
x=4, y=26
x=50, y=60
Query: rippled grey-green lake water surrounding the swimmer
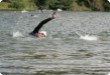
x=78, y=43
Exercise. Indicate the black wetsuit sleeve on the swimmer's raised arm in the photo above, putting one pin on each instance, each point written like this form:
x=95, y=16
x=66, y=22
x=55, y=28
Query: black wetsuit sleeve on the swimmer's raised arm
x=40, y=25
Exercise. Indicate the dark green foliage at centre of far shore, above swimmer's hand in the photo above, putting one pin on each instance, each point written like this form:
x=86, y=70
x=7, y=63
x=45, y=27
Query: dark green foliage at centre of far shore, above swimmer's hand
x=54, y=4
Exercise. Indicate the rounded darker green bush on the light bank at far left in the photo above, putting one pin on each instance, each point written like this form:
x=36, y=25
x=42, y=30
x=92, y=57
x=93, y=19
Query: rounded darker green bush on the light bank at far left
x=17, y=4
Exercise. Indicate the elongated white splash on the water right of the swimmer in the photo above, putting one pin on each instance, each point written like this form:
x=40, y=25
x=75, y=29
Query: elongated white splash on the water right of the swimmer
x=87, y=37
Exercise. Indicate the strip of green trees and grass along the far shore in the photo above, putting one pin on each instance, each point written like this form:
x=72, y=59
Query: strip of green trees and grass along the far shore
x=88, y=5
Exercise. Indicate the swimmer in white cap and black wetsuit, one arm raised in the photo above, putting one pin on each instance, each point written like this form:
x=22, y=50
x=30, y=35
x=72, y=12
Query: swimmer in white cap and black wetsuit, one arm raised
x=36, y=32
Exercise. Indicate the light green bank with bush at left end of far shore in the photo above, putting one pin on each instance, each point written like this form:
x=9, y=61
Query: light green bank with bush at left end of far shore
x=27, y=5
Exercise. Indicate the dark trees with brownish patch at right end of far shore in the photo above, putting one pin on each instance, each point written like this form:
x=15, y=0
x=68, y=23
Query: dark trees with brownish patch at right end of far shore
x=95, y=5
